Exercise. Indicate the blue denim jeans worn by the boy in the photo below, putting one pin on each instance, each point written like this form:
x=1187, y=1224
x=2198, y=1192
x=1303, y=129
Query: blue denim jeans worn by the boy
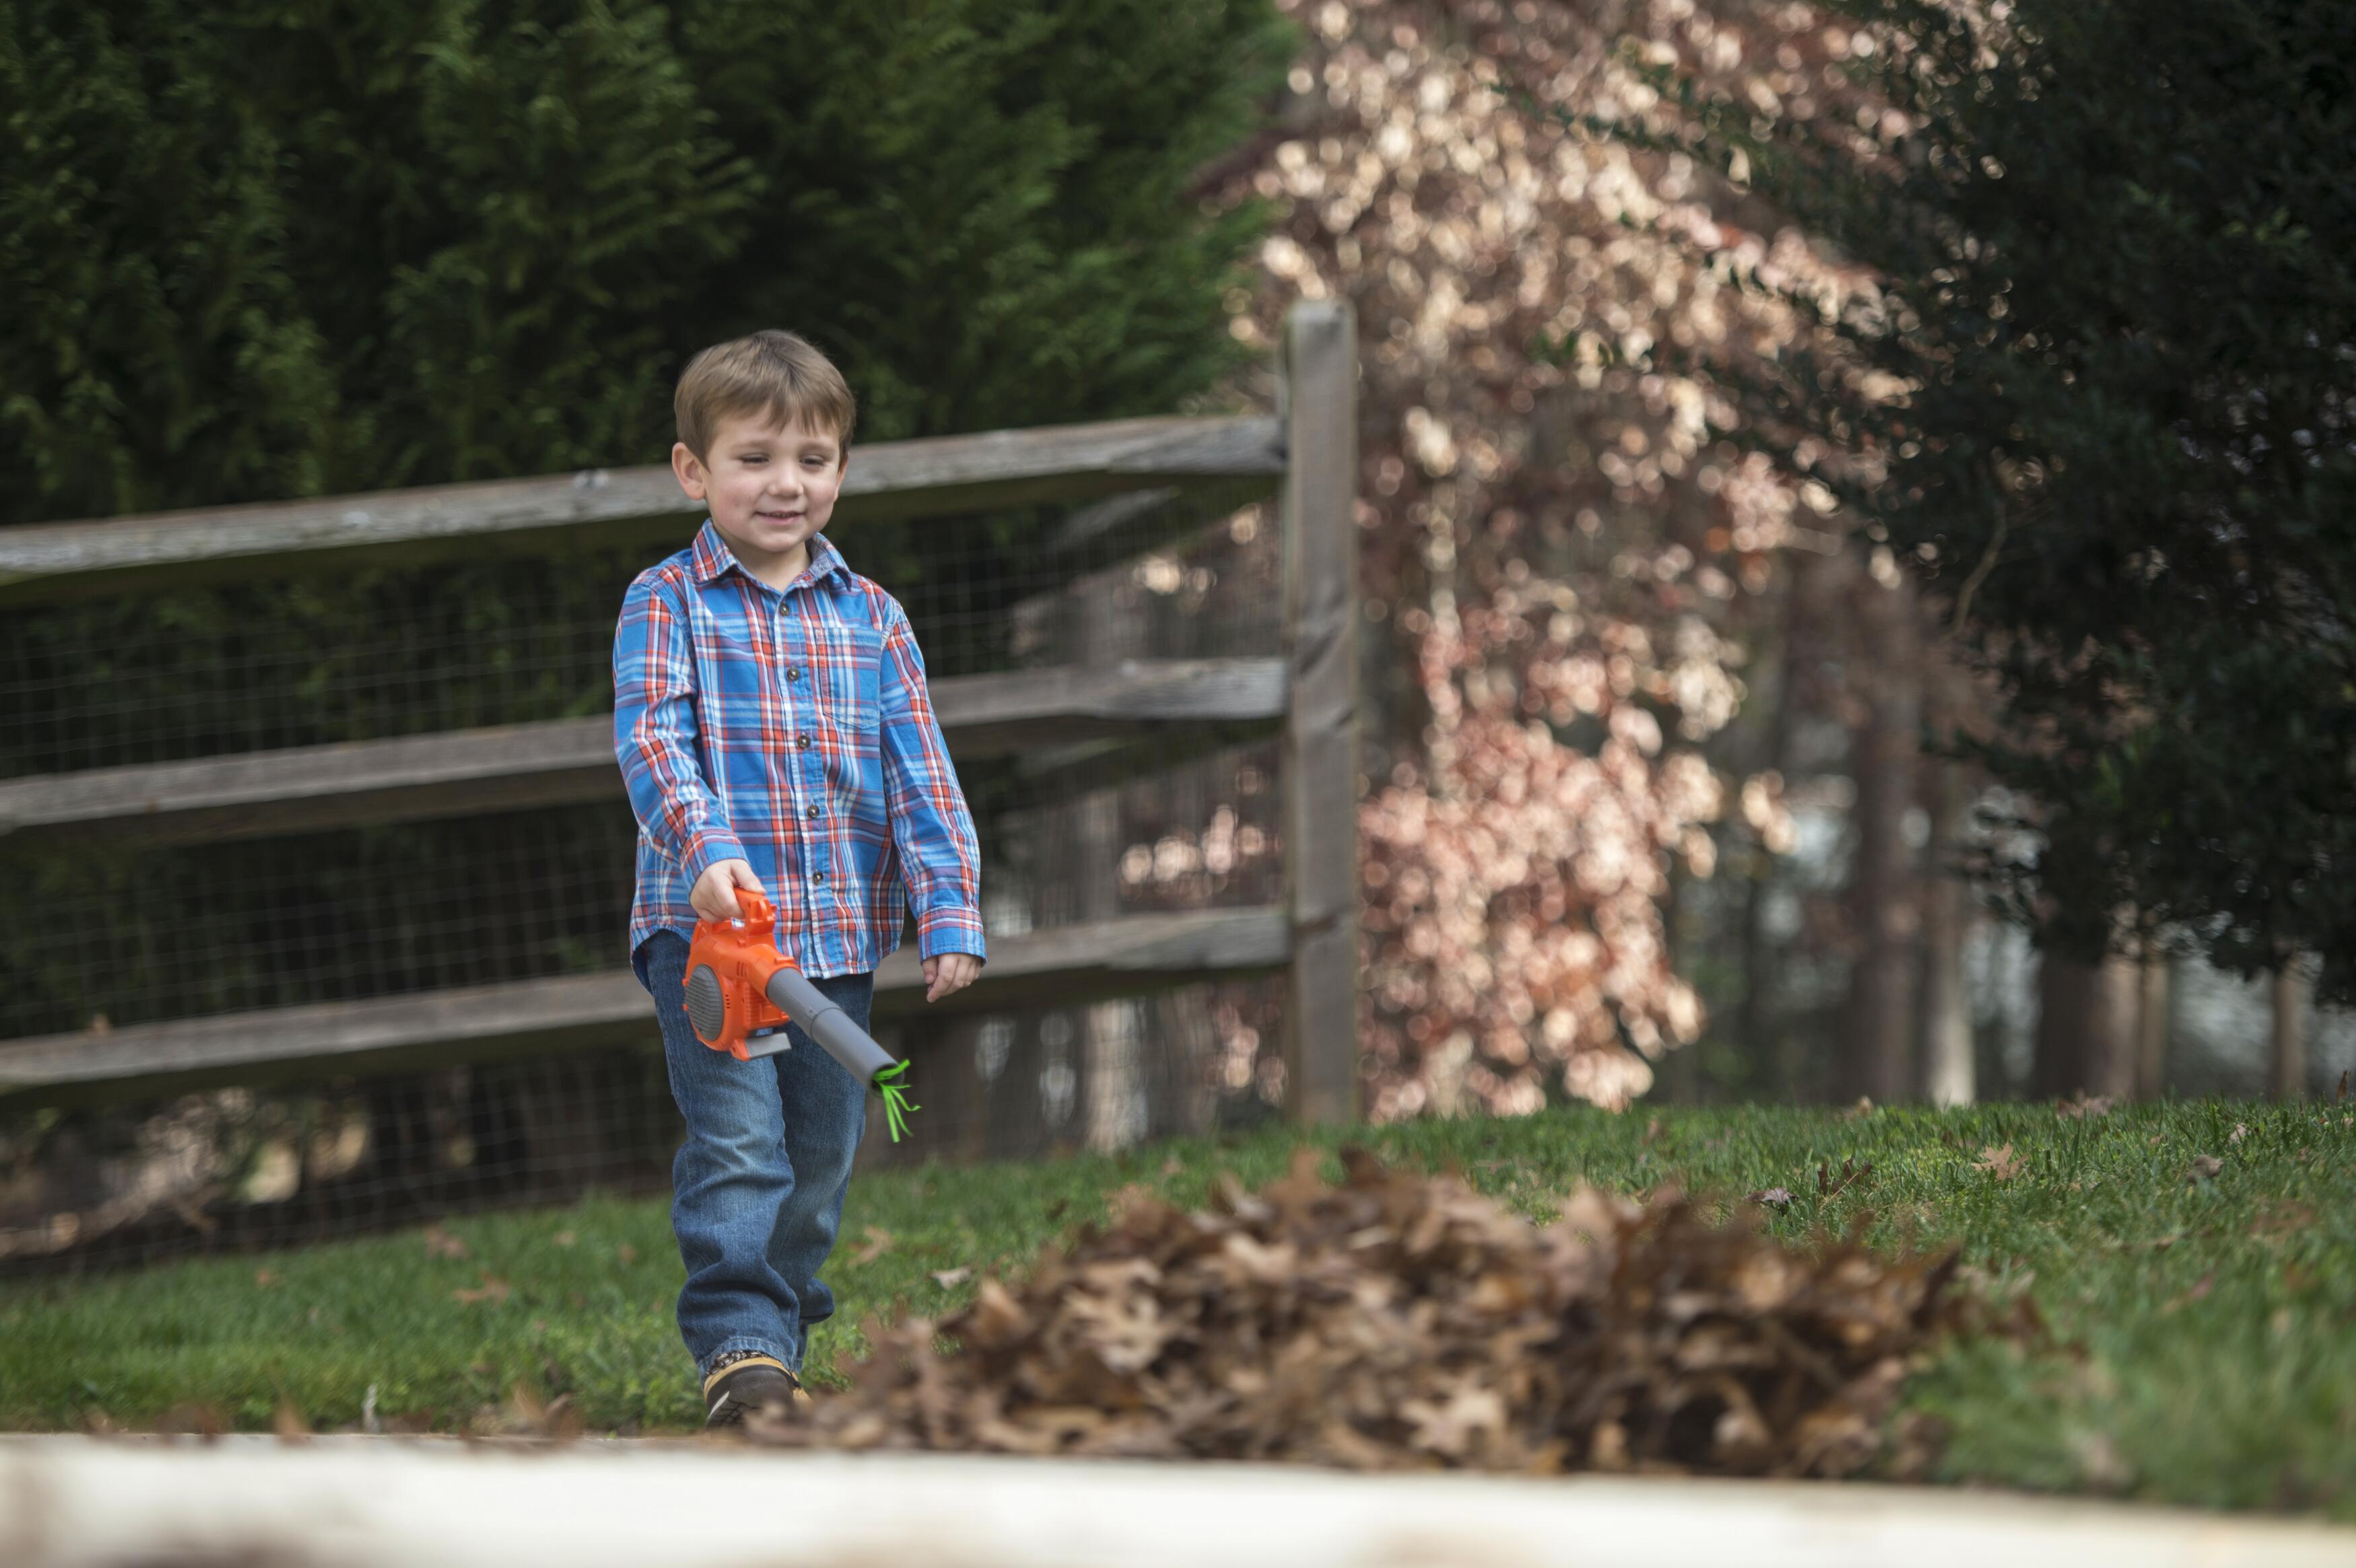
x=757, y=1190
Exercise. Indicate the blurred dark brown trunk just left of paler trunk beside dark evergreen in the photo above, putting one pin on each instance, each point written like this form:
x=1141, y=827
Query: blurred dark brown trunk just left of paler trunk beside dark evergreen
x=1888, y=757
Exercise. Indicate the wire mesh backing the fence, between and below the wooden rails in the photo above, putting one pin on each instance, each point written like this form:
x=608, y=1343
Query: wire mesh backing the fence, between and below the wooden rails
x=102, y=934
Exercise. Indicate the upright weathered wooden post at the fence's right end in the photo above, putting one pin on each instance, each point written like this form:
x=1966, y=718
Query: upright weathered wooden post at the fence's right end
x=1321, y=726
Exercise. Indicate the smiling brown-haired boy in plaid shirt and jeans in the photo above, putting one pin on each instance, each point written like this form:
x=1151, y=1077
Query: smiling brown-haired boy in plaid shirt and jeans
x=776, y=736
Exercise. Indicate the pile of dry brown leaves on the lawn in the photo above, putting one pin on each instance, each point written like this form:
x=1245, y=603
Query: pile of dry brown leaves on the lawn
x=1405, y=1322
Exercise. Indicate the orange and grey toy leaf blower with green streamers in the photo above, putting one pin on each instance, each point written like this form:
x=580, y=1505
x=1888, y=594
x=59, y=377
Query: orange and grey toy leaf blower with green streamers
x=739, y=985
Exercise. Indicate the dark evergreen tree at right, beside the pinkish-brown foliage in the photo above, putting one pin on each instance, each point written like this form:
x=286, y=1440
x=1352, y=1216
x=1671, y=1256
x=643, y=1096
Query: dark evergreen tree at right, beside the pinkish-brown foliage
x=2105, y=394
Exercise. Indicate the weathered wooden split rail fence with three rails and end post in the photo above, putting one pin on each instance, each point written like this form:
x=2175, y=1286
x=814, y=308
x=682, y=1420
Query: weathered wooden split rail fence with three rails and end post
x=1309, y=458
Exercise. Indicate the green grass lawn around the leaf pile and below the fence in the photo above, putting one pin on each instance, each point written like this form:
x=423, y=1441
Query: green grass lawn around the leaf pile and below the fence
x=2206, y=1322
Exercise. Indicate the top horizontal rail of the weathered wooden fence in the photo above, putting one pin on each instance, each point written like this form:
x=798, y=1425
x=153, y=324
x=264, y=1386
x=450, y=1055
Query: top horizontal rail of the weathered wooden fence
x=885, y=481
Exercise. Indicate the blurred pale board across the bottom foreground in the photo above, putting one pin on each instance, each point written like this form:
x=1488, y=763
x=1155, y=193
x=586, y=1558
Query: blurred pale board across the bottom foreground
x=390, y=1503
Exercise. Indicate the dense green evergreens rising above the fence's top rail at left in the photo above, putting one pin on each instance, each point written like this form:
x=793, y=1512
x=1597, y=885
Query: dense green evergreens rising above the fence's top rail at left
x=289, y=246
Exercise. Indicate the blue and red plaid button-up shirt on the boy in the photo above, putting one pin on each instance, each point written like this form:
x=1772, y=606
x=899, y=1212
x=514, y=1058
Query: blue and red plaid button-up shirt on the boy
x=790, y=731
